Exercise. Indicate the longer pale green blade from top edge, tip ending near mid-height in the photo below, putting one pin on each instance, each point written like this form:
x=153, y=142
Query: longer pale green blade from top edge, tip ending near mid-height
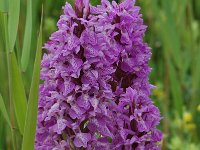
x=27, y=37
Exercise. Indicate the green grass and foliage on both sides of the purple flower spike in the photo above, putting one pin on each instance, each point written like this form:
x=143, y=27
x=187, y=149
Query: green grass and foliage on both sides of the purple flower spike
x=173, y=34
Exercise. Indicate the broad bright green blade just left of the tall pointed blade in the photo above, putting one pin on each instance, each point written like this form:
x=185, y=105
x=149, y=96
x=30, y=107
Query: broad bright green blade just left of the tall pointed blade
x=18, y=93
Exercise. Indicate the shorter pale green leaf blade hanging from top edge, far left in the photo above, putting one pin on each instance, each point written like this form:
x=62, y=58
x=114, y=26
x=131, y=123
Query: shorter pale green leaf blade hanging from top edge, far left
x=13, y=21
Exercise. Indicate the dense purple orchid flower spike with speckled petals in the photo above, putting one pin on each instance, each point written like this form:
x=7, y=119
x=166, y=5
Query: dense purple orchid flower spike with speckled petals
x=95, y=94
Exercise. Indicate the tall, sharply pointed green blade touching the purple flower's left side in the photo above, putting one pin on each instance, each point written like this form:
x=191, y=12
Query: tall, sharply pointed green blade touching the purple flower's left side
x=31, y=116
